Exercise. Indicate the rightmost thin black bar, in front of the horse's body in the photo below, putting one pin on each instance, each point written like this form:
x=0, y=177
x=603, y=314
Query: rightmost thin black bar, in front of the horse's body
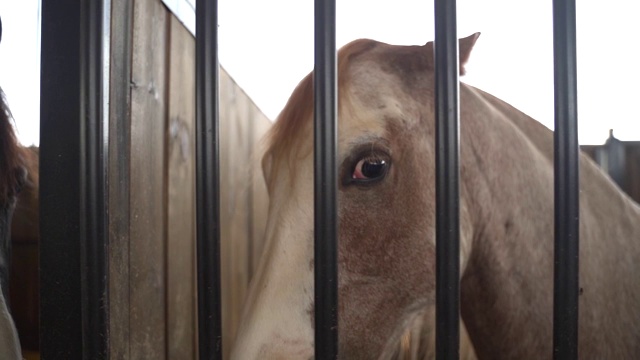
x=567, y=212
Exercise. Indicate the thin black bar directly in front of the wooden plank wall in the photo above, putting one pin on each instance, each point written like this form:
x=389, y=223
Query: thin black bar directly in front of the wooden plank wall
x=207, y=181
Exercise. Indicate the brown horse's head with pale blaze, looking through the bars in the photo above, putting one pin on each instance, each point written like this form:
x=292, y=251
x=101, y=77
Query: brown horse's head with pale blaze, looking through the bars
x=386, y=208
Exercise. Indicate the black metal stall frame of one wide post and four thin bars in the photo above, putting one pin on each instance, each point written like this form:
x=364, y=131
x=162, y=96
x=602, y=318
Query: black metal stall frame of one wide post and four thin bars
x=74, y=303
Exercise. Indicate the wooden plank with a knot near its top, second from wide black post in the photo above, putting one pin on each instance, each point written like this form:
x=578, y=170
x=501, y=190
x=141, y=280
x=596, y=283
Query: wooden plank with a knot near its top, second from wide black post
x=147, y=277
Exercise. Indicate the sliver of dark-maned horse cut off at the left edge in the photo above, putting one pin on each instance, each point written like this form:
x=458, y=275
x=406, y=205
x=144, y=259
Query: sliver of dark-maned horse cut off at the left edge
x=12, y=177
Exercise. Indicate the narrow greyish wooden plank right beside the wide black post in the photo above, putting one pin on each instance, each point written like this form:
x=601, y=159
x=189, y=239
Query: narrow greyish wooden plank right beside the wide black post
x=119, y=155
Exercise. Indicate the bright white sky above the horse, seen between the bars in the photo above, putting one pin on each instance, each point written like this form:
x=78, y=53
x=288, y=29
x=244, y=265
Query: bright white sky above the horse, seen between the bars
x=267, y=47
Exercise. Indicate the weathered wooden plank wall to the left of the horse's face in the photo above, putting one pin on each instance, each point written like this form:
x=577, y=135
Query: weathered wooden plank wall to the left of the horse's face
x=152, y=255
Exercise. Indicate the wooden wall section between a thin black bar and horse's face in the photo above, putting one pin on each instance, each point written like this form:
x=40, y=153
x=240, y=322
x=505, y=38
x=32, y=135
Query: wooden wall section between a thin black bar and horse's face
x=242, y=211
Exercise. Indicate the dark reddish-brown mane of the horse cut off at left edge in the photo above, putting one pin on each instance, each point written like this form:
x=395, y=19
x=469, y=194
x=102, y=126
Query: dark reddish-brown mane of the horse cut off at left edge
x=11, y=157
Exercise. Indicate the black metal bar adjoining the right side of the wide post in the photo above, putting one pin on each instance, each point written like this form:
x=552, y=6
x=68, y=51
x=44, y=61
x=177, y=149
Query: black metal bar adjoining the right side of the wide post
x=93, y=148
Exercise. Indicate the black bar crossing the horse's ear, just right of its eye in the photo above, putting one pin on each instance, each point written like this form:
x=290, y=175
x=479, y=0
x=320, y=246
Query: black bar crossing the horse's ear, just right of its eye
x=447, y=181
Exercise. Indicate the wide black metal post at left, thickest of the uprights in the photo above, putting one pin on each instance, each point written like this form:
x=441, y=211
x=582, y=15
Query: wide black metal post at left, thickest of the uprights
x=73, y=276
